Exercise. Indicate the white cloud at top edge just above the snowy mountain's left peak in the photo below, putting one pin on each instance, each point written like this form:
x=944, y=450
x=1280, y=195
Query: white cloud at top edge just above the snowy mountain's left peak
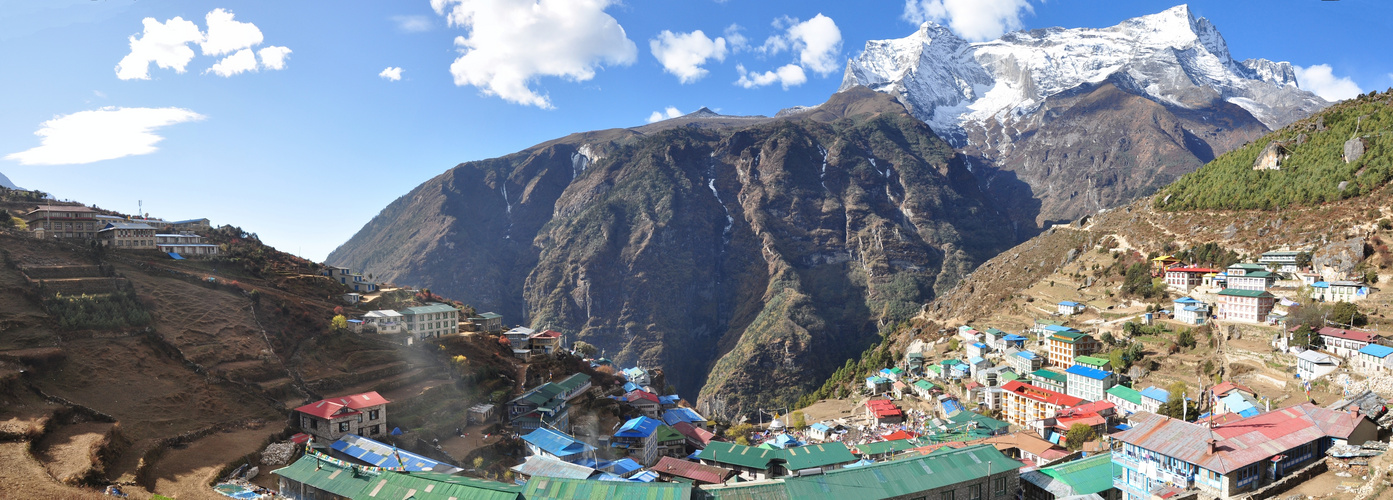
x=974, y=20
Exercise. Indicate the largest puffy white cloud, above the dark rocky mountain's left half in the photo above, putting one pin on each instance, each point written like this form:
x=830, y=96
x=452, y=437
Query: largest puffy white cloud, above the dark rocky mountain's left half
x=513, y=44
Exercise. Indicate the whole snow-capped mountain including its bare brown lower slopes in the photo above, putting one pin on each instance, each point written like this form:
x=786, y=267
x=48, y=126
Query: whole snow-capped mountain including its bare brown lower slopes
x=1061, y=123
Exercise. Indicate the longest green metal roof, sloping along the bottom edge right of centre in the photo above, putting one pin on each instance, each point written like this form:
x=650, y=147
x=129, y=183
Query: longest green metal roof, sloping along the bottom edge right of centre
x=901, y=478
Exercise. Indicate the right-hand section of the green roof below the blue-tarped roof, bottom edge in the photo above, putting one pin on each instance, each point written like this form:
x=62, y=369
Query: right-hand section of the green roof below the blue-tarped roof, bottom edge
x=437, y=487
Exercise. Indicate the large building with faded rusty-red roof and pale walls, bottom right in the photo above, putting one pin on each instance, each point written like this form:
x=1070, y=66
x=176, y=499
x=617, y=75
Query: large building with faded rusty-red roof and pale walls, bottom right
x=1235, y=459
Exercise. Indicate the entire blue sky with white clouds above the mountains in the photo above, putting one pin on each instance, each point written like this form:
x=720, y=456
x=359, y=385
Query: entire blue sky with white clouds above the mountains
x=302, y=120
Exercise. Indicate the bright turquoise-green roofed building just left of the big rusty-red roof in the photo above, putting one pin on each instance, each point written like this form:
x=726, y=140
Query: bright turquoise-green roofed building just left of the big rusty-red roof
x=1073, y=480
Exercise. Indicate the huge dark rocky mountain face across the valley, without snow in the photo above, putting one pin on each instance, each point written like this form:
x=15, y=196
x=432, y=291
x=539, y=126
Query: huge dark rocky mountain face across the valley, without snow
x=747, y=257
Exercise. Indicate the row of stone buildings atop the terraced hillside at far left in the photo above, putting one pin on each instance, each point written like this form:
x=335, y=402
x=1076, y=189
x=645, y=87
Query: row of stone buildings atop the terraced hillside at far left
x=180, y=239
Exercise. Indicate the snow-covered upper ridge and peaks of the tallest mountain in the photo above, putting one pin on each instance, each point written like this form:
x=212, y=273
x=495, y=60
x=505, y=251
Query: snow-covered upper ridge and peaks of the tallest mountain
x=1171, y=58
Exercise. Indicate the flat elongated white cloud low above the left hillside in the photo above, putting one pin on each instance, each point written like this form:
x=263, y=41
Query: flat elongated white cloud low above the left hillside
x=101, y=134
